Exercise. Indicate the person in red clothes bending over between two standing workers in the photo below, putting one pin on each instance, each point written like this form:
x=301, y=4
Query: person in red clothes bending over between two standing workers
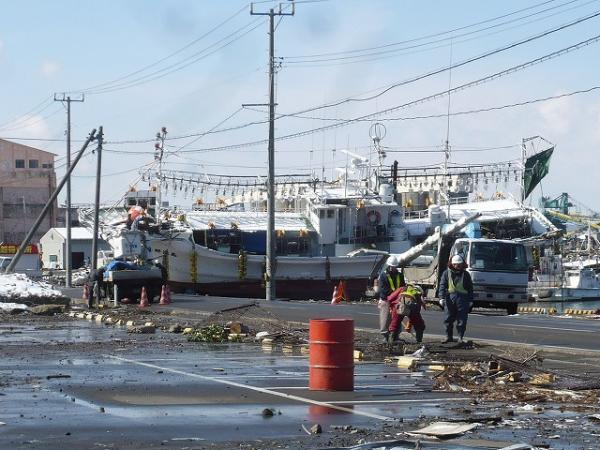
x=406, y=301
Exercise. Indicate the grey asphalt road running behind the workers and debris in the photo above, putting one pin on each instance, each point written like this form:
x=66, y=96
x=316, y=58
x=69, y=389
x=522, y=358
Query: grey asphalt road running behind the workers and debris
x=540, y=330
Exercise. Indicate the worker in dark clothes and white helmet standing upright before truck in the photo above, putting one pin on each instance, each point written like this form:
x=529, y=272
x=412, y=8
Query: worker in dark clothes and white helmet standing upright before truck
x=456, y=291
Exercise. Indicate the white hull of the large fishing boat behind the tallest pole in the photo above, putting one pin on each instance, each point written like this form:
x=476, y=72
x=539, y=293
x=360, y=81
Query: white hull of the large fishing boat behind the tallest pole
x=202, y=270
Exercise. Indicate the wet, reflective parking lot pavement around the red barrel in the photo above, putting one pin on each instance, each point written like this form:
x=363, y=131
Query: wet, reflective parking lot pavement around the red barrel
x=144, y=393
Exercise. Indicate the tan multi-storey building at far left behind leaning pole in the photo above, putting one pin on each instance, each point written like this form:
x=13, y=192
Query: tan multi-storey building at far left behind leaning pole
x=27, y=180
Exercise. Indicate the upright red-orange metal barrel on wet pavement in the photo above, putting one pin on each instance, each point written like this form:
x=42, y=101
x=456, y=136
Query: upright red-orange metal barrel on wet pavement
x=331, y=360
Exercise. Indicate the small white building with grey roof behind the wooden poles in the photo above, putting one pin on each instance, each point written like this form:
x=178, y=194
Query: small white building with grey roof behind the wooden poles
x=53, y=247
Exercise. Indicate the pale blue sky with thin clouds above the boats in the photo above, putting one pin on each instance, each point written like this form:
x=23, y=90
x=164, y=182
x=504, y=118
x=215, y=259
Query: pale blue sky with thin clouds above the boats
x=190, y=65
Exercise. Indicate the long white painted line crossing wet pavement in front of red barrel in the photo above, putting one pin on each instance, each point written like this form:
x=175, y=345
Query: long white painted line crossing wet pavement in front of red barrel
x=255, y=388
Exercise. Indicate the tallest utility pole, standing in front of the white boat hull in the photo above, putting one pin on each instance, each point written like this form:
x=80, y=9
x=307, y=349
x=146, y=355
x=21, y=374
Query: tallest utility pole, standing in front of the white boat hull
x=270, y=268
